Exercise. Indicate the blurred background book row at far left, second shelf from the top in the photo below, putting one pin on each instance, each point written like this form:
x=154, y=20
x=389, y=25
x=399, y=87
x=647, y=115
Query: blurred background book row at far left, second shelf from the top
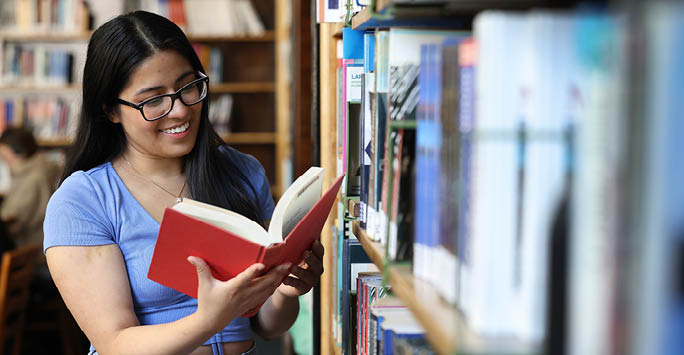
x=39, y=65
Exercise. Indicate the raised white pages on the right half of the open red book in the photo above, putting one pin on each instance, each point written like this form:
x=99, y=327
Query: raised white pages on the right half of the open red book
x=297, y=200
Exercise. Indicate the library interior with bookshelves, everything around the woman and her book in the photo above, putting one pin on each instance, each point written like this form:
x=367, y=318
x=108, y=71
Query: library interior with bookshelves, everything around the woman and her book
x=513, y=169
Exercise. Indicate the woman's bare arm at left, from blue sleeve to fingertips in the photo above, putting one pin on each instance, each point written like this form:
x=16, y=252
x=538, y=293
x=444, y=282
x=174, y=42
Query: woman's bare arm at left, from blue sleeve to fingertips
x=94, y=285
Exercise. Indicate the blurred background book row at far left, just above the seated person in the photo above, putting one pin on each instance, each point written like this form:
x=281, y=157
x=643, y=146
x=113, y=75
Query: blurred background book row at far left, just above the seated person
x=47, y=116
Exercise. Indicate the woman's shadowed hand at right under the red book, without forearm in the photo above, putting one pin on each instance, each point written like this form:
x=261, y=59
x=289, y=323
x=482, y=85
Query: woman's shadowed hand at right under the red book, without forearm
x=306, y=274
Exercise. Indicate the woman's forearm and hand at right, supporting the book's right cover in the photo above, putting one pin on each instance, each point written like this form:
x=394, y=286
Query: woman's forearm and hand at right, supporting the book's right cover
x=280, y=311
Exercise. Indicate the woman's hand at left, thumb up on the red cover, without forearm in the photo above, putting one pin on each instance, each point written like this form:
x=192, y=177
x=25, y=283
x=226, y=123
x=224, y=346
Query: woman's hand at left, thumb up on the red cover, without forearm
x=219, y=302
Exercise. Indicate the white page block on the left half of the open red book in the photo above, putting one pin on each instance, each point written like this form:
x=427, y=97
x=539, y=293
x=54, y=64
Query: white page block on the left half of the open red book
x=225, y=219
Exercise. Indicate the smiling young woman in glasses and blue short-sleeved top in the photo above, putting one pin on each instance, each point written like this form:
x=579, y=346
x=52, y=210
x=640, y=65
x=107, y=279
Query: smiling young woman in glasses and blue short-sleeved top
x=143, y=140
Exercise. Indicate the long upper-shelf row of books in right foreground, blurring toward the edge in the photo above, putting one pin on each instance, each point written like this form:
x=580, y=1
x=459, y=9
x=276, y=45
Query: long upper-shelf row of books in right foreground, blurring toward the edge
x=501, y=164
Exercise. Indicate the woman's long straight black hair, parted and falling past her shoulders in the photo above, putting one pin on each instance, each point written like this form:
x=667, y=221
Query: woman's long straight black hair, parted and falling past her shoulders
x=115, y=50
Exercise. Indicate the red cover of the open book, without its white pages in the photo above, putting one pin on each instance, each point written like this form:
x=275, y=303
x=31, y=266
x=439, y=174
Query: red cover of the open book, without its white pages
x=227, y=254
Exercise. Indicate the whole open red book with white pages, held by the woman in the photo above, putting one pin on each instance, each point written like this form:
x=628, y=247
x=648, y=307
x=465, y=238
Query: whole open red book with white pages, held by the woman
x=230, y=242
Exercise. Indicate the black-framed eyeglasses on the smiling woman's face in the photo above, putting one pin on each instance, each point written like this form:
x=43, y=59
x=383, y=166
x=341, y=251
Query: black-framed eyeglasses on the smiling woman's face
x=157, y=107
